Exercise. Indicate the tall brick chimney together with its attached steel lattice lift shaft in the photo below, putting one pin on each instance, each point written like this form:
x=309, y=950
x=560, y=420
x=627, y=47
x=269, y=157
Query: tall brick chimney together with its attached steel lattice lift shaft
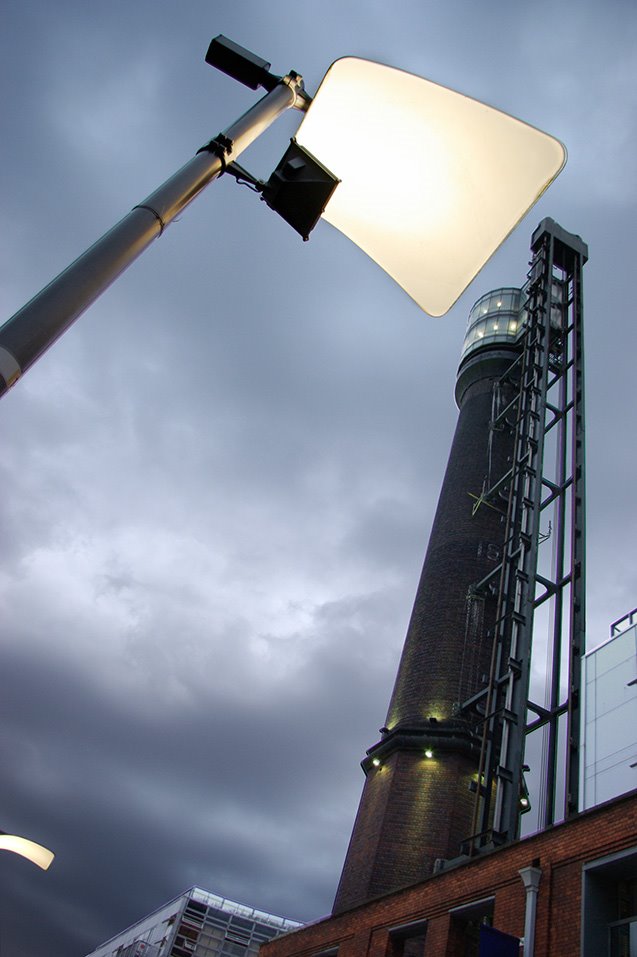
x=446, y=777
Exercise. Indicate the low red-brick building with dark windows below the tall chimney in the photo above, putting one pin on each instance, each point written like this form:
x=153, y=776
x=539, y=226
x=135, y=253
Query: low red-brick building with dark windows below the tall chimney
x=585, y=871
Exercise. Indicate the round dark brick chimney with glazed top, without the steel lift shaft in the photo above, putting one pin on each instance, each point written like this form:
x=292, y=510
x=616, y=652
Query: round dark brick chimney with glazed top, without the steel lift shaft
x=418, y=798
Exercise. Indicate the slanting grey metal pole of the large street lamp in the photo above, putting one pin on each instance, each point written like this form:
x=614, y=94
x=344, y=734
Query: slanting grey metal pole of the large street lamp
x=35, y=327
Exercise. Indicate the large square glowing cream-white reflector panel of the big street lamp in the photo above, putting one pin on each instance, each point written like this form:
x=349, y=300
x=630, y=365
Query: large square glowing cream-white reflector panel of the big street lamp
x=432, y=182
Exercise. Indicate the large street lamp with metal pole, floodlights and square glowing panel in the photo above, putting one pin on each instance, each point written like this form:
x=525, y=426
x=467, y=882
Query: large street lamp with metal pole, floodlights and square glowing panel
x=426, y=181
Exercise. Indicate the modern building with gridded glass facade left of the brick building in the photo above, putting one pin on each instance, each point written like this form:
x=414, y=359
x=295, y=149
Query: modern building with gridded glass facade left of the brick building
x=197, y=924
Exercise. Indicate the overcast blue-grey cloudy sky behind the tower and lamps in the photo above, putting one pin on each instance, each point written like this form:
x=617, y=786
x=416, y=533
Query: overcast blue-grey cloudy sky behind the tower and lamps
x=217, y=488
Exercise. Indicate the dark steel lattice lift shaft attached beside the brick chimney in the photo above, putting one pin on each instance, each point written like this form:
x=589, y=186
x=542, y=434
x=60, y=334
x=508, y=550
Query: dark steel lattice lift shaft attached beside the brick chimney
x=539, y=579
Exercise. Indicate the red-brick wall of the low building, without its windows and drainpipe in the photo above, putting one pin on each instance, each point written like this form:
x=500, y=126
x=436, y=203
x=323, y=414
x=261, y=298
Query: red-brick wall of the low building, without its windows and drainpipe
x=559, y=852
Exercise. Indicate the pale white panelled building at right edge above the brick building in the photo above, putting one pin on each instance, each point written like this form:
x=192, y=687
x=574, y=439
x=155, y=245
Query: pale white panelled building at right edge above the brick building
x=609, y=748
